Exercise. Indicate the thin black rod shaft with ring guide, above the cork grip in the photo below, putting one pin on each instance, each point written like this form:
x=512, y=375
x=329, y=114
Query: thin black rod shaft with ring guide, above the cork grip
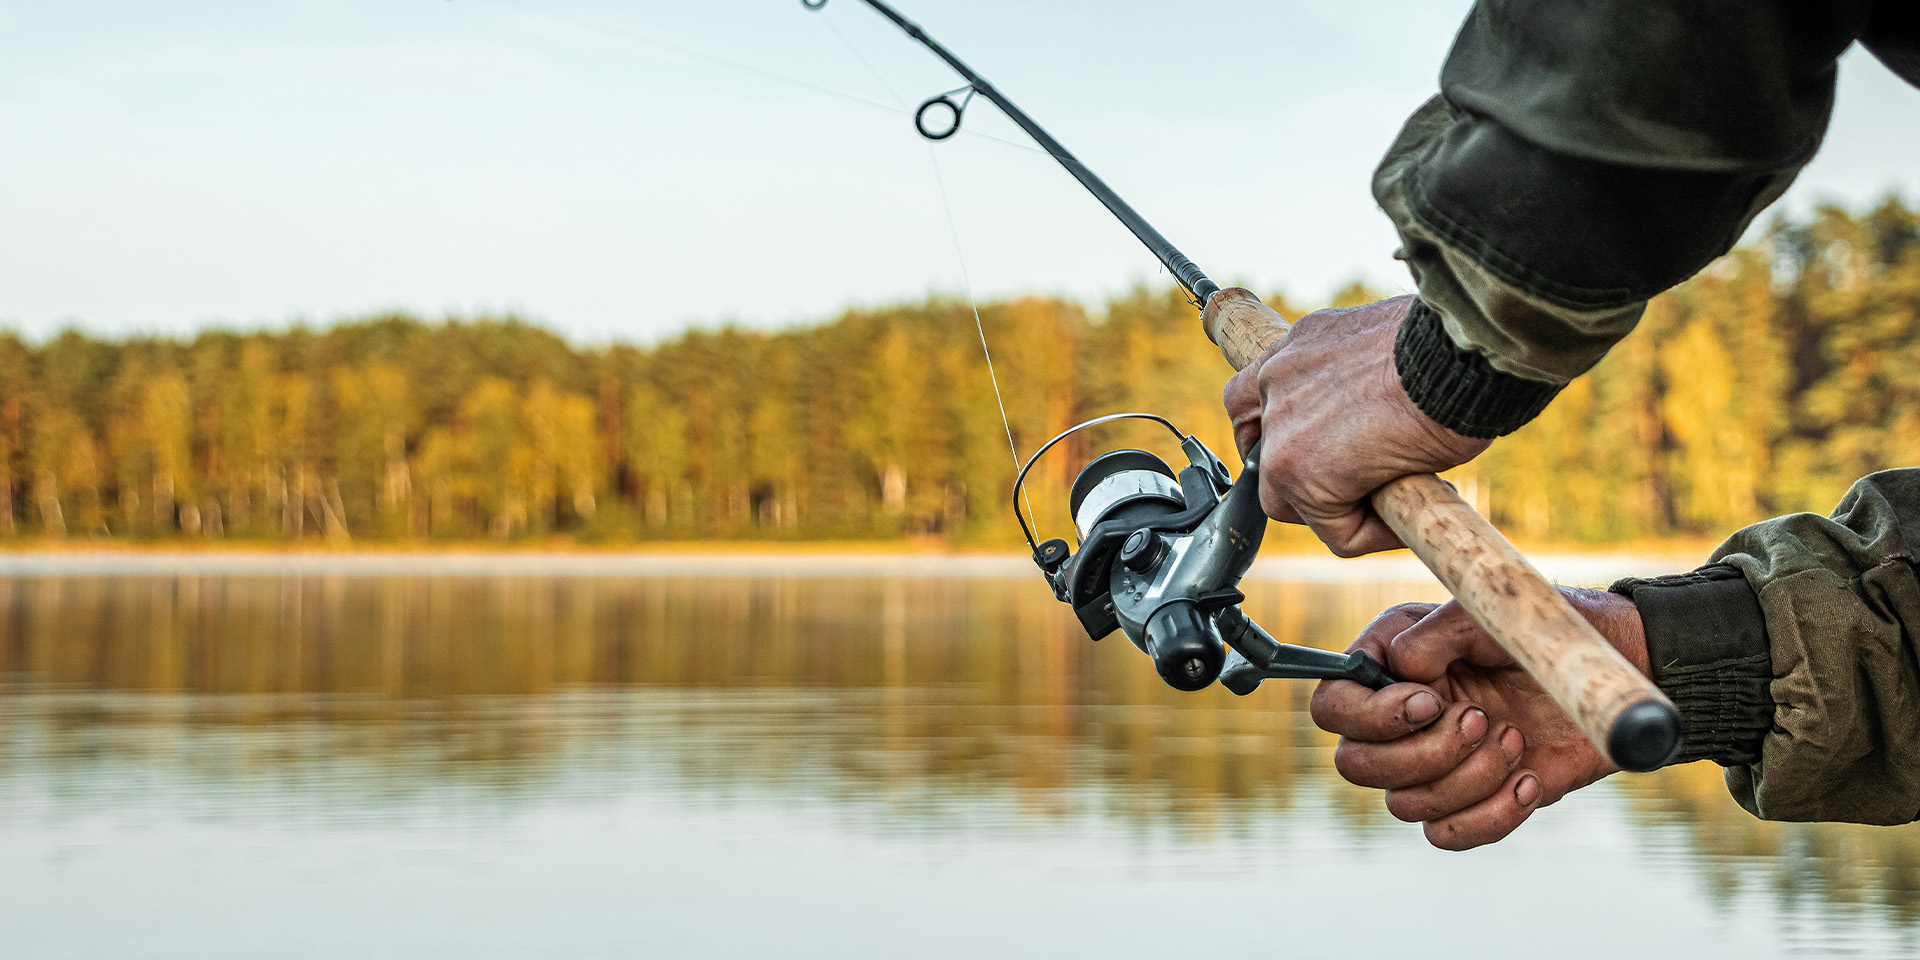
x=1184, y=270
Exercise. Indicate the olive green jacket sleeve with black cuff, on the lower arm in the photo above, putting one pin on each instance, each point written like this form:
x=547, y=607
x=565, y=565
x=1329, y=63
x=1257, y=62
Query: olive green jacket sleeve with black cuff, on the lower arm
x=1794, y=658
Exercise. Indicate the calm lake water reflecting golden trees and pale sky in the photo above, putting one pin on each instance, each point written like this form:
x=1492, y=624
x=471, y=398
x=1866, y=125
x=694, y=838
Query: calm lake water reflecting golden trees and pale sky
x=652, y=759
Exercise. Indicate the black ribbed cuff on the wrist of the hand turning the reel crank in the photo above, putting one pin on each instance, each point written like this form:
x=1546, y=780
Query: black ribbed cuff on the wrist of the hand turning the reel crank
x=1710, y=654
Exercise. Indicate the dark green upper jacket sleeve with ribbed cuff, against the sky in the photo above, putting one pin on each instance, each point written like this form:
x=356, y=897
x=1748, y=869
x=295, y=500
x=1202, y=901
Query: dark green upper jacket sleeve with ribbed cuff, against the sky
x=1579, y=160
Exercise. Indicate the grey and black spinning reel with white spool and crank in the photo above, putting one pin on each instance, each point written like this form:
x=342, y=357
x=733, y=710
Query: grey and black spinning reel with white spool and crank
x=1161, y=558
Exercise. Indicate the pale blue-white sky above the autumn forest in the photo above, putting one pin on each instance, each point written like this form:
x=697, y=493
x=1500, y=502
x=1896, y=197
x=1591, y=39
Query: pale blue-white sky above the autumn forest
x=170, y=166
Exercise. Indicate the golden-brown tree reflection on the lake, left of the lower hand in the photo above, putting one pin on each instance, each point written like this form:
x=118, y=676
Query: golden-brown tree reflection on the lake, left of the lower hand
x=921, y=692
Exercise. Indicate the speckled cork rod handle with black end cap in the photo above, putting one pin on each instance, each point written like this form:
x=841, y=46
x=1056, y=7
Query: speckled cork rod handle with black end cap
x=1620, y=709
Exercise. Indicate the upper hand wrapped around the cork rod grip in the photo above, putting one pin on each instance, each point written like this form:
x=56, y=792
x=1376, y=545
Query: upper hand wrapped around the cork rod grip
x=1339, y=425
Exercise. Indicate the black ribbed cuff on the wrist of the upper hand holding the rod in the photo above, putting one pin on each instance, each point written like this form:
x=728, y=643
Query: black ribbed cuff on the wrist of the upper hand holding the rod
x=1458, y=387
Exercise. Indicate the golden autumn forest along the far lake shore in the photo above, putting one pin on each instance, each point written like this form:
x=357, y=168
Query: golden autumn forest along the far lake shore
x=1767, y=385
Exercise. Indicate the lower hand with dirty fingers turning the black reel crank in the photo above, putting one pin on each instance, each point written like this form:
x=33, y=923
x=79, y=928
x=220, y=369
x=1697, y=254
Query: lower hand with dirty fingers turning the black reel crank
x=1470, y=744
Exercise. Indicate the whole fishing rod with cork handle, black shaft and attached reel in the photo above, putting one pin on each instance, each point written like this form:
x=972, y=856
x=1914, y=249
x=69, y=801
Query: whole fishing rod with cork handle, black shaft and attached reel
x=1163, y=554
